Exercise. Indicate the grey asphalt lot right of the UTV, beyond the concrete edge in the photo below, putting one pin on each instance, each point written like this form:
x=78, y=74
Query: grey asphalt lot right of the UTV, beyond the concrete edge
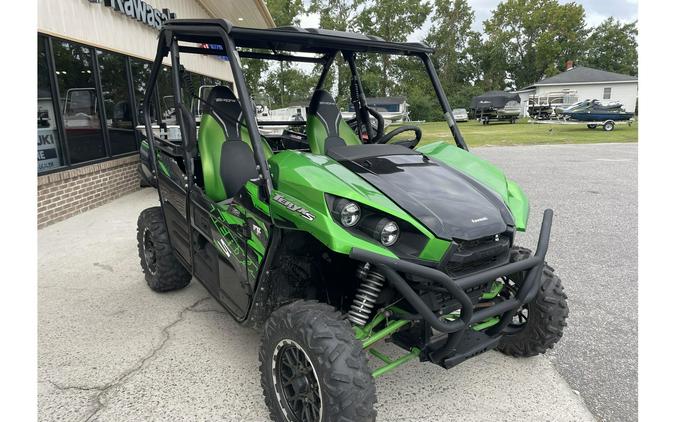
x=594, y=246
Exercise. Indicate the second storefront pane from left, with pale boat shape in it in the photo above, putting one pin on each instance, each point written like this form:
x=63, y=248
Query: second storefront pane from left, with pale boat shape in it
x=79, y=102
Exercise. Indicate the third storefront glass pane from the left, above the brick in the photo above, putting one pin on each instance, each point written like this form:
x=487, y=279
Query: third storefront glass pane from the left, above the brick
x=116, y=101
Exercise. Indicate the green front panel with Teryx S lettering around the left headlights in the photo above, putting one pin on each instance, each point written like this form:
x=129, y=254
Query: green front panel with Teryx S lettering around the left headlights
x=304, y=178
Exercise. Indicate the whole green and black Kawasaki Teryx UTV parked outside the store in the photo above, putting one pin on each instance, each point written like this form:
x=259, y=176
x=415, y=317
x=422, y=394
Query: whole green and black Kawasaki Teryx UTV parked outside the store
x=336, y=237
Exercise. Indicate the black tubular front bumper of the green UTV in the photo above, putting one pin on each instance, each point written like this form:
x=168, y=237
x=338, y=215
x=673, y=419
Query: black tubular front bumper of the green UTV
x=532, y=266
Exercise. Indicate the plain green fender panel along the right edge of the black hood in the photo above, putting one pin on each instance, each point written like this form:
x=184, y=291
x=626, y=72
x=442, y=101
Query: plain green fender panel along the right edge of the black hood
x=485, y=173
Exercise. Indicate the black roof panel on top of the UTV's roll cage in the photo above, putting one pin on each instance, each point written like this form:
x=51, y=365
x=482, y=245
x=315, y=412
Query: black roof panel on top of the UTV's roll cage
x=289, y=38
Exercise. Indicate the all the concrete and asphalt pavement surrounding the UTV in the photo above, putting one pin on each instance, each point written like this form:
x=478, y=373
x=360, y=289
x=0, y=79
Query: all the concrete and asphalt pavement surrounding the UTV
x=109, y=349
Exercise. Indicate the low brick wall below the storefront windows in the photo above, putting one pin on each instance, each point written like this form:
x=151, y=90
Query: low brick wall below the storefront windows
x=69, y=192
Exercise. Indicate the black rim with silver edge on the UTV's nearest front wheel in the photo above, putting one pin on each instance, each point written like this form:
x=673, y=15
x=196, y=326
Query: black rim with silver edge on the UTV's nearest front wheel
x=296, y=383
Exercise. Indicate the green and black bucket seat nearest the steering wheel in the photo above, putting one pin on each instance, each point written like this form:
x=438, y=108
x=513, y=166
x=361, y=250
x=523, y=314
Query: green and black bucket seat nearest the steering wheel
x=325, y=126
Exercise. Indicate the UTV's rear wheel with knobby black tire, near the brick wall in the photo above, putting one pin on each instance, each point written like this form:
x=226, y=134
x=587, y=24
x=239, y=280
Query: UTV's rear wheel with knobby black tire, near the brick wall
x=163, y=271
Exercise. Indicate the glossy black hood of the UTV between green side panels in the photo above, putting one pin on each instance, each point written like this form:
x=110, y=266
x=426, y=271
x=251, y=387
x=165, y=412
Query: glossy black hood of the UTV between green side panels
x=450, y=204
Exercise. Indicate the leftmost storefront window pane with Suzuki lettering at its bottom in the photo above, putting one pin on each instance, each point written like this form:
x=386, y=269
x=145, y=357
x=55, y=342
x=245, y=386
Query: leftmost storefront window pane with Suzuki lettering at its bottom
x=49, y=154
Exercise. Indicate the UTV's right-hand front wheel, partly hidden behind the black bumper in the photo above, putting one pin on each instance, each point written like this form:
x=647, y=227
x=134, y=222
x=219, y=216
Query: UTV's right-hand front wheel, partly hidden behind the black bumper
x=538, y=325
